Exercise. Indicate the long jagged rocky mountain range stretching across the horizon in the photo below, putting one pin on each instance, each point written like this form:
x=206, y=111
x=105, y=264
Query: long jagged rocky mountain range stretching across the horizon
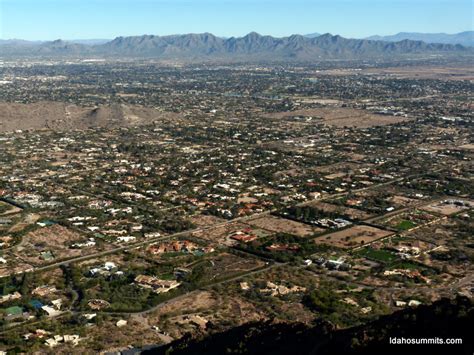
x=252, y=47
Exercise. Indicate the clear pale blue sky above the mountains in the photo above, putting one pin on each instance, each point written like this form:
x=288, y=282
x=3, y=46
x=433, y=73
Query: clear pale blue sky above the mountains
x=82, y=19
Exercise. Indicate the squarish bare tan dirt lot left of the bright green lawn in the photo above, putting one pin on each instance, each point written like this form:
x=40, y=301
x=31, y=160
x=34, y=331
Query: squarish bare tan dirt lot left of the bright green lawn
x=353, y=237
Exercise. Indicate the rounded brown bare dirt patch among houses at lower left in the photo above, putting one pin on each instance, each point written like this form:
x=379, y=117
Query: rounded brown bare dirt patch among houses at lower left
x=55, y=239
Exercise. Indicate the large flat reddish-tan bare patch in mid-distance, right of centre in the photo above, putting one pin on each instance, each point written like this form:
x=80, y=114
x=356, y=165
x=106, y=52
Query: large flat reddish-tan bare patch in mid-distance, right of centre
x=340, y=117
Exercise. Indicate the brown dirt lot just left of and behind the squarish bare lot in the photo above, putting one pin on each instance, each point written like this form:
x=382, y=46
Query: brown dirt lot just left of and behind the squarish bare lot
x=275, y=224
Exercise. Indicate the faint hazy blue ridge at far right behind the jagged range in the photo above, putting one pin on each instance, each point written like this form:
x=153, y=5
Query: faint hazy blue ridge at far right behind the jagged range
x=464, y=38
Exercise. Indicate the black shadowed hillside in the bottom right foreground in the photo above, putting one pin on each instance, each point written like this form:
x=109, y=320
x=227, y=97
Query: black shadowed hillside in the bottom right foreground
x=443, y=319
